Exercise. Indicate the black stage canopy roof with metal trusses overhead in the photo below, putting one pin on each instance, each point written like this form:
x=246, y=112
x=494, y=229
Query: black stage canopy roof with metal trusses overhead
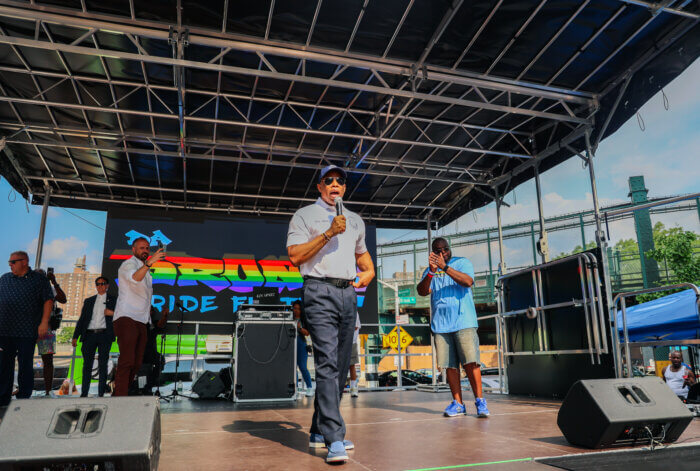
x=434, y=107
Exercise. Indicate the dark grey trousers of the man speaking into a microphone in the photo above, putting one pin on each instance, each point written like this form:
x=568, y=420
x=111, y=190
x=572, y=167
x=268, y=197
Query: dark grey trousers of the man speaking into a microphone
x=329, y=316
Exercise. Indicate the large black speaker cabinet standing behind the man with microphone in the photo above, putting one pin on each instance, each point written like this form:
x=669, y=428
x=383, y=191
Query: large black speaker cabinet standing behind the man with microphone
x=264, y=361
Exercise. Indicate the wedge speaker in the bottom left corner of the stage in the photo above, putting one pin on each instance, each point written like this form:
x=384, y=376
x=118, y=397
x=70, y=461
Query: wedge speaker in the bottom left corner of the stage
x=119, y=433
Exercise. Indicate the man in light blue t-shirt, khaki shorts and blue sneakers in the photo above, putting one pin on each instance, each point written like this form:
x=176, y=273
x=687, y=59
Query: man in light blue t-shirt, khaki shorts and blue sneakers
x=449, y=280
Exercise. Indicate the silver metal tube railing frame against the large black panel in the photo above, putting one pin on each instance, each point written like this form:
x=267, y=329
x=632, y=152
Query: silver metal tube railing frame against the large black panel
x=591, y=300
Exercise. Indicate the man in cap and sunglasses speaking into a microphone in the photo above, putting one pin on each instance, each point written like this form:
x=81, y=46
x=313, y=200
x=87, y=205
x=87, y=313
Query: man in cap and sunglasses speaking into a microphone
x=328, y=248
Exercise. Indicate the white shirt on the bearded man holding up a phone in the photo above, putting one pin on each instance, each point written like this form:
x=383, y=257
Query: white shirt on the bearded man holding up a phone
x=134, y=299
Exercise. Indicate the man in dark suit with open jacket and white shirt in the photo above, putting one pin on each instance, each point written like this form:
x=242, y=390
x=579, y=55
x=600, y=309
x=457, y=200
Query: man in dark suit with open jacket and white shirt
x=95, y=331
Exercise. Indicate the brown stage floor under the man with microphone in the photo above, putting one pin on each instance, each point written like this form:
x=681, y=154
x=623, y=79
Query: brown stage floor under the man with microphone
x=391, y=431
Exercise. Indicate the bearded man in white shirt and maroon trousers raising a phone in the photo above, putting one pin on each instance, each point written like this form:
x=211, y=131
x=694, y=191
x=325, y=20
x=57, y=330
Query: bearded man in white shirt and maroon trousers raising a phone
x=133, y=312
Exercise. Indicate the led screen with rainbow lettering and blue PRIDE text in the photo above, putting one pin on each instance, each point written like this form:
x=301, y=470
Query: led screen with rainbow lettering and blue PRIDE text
x=215, y=264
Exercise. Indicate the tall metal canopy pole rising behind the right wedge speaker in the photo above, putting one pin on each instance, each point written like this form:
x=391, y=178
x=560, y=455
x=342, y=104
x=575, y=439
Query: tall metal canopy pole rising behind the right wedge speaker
x=603, y=246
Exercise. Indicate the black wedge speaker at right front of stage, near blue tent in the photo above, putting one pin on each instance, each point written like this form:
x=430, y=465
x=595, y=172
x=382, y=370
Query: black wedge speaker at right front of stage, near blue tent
x=601, y=412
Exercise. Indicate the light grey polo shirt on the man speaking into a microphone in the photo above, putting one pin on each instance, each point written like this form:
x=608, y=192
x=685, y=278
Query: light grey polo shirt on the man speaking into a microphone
x=337, y=258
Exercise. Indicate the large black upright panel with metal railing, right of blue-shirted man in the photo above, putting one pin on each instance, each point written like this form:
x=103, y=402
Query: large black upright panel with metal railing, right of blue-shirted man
x=569, y=337
